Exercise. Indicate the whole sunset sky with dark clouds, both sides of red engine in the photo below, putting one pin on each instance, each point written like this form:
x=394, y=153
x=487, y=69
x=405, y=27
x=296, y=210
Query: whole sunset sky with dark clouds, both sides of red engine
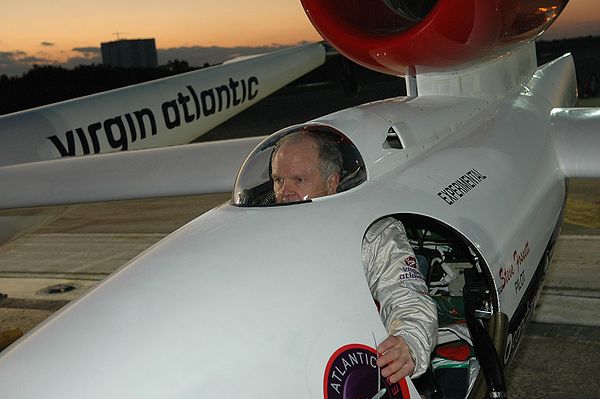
x=69, y=32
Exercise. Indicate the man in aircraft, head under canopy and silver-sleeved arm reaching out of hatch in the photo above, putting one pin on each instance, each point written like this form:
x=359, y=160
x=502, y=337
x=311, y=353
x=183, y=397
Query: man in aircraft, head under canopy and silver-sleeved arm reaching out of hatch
x=307, y=165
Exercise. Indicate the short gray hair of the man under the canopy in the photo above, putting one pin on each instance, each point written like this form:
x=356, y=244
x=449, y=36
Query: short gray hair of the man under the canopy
x=328, y=151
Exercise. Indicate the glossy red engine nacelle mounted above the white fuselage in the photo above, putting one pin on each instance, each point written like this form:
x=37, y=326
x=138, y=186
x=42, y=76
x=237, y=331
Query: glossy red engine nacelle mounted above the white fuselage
x=398, y=36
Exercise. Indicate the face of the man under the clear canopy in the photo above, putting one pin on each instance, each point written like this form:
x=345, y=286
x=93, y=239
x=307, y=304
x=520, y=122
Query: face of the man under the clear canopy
x=296, y=175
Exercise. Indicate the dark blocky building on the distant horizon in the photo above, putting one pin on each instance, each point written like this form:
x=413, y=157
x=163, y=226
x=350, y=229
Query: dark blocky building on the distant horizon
x=130, y=53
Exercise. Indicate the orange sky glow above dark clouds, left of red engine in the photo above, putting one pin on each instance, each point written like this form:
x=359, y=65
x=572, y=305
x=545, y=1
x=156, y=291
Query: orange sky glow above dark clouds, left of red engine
x=54, y=29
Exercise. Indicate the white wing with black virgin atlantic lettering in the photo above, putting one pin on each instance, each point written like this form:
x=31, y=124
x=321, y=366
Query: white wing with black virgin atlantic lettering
x=160, y=113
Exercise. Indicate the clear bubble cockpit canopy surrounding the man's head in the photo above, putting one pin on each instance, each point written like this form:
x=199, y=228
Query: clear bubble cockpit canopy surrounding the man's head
x=254, y=183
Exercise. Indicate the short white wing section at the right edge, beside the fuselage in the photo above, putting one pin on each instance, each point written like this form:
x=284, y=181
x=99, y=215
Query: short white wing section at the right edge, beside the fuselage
x=576, y=134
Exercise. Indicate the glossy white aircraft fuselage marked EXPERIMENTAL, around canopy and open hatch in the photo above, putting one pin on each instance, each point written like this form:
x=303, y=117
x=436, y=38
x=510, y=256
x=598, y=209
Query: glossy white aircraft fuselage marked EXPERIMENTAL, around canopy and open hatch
x=253, y=301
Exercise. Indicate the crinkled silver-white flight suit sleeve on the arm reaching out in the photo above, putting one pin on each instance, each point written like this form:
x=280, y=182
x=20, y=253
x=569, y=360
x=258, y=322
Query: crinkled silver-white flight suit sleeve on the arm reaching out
x=395, y=282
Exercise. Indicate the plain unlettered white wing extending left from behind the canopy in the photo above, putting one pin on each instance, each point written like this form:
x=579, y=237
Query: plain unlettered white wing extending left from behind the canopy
x=158, y=172
